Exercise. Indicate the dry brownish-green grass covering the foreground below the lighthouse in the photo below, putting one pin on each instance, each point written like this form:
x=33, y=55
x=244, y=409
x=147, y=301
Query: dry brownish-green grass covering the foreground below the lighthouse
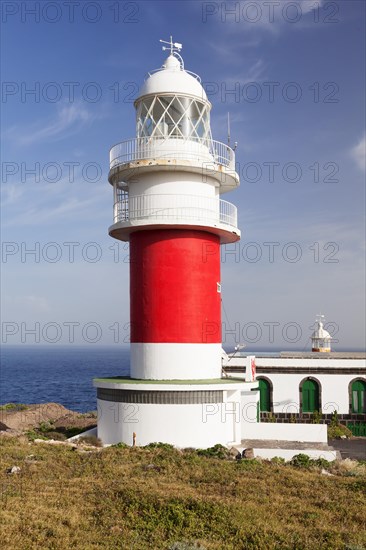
x=161, y=498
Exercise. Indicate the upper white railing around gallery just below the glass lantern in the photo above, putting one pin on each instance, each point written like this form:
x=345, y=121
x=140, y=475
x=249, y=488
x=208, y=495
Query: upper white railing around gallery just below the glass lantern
x=191, y=149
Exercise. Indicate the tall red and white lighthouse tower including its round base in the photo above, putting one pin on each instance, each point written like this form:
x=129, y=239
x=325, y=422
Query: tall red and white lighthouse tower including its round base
x=167, y=185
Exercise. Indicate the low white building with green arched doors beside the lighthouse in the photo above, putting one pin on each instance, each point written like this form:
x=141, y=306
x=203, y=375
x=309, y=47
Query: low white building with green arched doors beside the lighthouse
x=295, y=385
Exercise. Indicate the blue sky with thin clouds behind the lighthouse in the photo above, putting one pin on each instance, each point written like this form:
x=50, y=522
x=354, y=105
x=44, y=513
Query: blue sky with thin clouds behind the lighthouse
x=291, y=74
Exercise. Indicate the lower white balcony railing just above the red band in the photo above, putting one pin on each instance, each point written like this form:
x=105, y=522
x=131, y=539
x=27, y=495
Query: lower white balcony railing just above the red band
x=162, y=207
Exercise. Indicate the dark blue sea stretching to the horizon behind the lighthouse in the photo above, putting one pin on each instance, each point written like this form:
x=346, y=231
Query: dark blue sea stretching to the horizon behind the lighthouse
x=63, y=374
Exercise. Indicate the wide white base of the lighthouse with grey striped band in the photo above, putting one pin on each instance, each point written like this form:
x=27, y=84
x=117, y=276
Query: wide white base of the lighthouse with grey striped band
x=183, y=413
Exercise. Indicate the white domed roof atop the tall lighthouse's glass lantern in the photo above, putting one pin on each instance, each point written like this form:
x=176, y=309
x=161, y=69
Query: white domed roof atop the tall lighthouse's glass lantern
x=173, y=79
